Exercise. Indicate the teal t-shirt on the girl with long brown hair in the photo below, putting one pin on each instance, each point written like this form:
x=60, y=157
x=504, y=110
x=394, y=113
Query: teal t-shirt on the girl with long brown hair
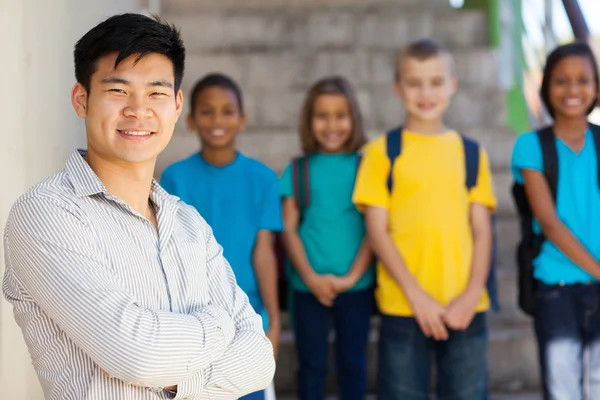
x=332, y=229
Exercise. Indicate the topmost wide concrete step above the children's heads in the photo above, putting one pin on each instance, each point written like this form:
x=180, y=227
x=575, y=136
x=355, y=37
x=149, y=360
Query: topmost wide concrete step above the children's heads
x=310, y=28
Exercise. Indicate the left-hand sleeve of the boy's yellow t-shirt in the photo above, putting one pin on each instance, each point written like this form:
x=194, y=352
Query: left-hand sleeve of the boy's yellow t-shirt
x=371, y=188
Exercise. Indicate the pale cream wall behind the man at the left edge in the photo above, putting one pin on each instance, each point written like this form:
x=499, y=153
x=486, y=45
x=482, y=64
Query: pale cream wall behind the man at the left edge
x=39, y=128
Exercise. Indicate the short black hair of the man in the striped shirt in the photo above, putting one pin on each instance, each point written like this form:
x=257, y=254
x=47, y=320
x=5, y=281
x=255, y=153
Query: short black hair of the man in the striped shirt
x=128, y=34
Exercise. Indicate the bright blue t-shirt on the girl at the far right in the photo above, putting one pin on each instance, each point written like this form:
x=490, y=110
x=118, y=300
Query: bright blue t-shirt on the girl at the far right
x=577, y=204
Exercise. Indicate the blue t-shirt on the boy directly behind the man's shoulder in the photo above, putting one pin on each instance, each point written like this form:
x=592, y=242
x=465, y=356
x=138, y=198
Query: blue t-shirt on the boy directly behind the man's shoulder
x=237, y=200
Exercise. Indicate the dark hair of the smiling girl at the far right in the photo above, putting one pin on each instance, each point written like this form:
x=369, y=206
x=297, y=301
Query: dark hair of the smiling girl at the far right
x=577, y=49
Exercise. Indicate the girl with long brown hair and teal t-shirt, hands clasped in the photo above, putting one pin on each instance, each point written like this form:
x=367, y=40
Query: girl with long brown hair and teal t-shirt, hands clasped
x=331, y=277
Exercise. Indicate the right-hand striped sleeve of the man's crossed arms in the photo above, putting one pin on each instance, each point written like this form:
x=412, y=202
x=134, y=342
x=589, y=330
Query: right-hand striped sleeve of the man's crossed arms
x=248, y=365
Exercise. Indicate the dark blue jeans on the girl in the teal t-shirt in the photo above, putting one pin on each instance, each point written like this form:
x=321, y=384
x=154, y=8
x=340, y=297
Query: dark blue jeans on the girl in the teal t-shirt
x=351, y=315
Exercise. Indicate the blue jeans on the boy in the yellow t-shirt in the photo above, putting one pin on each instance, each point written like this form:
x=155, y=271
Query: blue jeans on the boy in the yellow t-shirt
x=405, y=361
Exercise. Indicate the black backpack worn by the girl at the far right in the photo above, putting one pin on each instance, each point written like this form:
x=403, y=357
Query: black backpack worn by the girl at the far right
x=530, y=245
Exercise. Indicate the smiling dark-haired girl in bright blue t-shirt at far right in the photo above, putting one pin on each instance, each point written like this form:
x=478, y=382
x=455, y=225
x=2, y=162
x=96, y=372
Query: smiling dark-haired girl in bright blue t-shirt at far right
x=567, y=308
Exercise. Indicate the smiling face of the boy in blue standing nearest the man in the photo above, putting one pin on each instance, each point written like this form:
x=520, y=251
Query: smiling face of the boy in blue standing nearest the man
x=217, y=118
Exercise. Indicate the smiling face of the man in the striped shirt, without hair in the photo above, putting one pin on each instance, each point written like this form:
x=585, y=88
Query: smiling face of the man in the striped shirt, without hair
x=130, y=112
